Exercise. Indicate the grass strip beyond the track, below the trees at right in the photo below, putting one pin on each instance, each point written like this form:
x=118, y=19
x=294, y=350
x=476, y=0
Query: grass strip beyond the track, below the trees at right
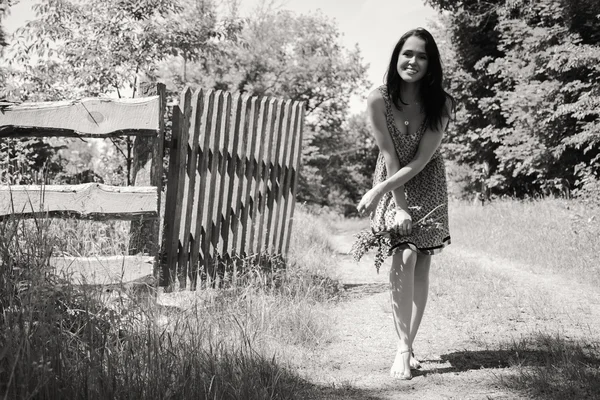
x=553, y=235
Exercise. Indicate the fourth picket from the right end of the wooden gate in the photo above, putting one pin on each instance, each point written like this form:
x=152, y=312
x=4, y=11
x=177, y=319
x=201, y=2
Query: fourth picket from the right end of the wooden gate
x=263, y=133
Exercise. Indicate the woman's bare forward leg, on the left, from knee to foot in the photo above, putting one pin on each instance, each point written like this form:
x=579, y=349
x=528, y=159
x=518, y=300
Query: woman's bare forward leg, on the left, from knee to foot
x=401, y=294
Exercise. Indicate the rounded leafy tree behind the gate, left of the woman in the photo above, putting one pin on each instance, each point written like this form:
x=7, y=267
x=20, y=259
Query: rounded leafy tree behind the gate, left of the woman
x=298, y=57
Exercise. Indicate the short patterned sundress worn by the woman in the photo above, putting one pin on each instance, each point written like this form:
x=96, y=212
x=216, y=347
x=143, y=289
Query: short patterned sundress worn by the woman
x=426, y=195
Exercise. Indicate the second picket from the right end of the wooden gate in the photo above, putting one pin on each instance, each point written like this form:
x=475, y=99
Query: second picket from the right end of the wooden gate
x=284, y=155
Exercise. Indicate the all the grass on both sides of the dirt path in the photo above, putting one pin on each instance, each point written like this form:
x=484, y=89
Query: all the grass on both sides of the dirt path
x=260, y=339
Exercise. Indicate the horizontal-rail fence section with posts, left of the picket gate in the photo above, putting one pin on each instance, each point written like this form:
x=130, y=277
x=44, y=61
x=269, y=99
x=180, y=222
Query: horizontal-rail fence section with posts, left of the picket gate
x=95, y=118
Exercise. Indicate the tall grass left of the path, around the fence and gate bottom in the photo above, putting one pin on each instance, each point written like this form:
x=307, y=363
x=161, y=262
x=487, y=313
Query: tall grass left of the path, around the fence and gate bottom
x=64, y=341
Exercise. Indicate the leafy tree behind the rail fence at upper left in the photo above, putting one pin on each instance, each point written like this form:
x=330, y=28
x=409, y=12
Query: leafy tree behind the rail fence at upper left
x=77, y=48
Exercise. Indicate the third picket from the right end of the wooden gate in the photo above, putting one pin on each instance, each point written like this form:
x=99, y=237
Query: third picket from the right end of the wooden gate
x=272, y=141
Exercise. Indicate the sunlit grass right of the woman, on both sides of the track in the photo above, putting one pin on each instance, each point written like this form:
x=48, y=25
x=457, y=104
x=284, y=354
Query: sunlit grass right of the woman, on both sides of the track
x=546, y=350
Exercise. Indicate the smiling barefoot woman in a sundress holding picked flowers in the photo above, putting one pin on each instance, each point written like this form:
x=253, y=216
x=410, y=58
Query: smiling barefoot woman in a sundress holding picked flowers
x=408, y=116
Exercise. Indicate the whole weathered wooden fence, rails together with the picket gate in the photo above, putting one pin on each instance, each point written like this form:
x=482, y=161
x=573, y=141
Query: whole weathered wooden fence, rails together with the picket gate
x=231, y=185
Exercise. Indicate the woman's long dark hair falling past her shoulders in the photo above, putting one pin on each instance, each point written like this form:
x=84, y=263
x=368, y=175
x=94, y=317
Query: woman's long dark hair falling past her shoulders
x=432, y=93
